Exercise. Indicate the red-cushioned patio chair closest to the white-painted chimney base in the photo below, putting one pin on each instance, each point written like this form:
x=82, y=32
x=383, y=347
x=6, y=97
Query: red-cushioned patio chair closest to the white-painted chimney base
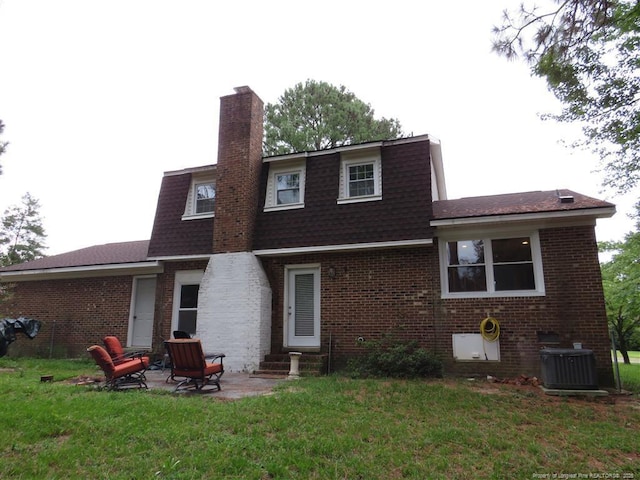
x=189, y=364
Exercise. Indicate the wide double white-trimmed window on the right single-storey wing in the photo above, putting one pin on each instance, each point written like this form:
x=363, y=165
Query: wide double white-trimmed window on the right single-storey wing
x=494, y=266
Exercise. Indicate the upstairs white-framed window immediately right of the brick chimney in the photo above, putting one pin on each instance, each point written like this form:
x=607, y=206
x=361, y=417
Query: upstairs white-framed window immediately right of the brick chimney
x=285, y=187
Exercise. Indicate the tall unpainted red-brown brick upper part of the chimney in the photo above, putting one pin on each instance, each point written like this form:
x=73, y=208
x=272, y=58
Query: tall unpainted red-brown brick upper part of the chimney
x=238, y=171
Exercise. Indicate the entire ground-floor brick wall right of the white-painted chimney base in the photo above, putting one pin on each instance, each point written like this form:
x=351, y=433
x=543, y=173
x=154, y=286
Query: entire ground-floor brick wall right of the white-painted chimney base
x=398, y=291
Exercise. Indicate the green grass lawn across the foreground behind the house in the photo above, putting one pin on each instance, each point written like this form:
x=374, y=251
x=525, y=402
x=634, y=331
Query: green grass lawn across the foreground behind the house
x=316, y=428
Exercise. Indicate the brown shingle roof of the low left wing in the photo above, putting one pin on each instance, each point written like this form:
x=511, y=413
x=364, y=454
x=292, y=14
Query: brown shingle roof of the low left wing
x=108, y=254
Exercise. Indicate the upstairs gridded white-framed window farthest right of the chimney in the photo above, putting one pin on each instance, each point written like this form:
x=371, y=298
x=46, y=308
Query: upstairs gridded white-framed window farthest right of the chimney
x=360, y=177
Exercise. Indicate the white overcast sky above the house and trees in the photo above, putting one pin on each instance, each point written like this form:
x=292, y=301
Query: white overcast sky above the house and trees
x=99, y=98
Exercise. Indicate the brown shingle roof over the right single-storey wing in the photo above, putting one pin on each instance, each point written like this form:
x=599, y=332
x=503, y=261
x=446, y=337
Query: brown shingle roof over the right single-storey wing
x=515, y=203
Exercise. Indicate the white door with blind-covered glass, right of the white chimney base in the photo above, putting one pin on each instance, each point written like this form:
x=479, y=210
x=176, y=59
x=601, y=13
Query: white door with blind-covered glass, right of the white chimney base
x=302, y=309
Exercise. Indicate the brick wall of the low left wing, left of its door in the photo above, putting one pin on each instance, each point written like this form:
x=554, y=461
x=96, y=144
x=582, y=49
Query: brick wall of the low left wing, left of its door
x=75, y=313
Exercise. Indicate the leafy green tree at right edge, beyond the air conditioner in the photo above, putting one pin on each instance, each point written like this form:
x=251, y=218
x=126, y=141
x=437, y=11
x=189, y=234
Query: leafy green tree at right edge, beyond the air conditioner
x=621, y=282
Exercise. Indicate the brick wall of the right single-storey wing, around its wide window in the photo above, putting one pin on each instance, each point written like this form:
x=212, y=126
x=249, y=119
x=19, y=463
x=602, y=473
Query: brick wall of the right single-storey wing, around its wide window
x=572, y=308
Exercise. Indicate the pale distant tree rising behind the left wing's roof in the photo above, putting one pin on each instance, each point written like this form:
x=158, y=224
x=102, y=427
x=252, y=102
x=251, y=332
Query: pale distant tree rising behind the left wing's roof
x=21, y=233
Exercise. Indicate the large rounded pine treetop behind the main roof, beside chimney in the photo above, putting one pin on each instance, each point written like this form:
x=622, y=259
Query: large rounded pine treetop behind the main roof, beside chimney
x=317, y=115
